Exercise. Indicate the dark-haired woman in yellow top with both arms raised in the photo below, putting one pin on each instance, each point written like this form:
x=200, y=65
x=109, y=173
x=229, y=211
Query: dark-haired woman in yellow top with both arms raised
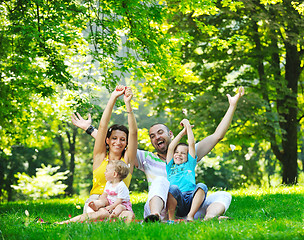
x=115, y=143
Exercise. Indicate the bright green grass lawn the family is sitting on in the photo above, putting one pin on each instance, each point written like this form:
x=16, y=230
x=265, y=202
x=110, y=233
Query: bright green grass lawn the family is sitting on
x=257, y=214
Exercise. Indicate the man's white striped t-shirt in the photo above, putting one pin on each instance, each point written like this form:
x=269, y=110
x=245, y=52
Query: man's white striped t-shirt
x=151, y=165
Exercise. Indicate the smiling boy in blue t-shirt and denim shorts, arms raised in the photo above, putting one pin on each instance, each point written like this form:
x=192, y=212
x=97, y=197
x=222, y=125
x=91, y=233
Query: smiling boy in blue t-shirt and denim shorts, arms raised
x=185, y=196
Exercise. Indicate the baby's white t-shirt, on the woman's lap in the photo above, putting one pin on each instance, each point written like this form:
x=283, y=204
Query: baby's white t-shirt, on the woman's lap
x=119, y=191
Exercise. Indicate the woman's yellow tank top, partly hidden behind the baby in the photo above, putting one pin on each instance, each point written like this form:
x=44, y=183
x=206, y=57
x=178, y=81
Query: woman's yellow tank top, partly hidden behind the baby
x=99, y=180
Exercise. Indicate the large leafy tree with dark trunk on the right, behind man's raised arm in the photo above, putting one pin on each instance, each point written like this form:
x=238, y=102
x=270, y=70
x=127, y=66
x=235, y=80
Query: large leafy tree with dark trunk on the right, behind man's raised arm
x=252, y=43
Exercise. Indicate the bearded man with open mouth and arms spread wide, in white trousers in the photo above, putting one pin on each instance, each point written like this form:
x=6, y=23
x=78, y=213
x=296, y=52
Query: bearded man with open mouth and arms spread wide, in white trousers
x=154, y=165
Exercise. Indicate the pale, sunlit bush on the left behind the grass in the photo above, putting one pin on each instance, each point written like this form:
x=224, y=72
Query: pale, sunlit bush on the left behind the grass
x=46, y=183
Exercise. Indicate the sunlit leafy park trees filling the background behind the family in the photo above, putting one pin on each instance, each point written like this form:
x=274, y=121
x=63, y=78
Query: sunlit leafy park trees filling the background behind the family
x=180, y=57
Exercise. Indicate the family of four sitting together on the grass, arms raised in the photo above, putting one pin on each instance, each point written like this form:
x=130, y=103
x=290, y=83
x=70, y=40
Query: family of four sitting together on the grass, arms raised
x=176, y=194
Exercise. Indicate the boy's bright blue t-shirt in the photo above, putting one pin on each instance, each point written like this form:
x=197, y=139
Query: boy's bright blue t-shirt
x=182, y=175
